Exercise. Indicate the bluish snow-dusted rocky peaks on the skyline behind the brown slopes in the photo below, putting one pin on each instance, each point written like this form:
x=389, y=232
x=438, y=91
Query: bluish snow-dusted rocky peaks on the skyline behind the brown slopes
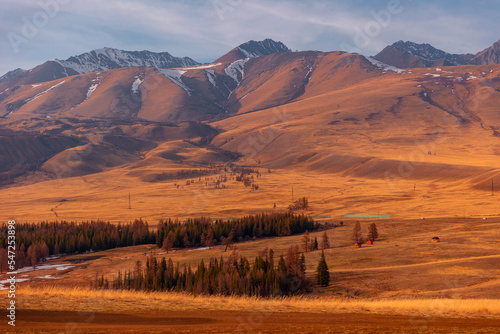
x=400, y=54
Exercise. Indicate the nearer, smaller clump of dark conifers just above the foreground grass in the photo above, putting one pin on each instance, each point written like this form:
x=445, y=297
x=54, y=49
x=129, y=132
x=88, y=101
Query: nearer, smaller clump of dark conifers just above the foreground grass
x=234, y=276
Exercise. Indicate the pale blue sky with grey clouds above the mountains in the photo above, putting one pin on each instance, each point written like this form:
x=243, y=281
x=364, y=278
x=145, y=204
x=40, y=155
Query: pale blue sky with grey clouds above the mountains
x=33, y=31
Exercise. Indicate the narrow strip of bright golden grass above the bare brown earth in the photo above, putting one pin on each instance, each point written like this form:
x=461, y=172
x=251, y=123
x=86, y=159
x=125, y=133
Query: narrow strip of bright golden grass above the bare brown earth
x=87, y=300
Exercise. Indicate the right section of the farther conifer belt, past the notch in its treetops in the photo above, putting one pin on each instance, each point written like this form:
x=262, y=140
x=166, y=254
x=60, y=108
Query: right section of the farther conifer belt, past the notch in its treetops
x=205, y=232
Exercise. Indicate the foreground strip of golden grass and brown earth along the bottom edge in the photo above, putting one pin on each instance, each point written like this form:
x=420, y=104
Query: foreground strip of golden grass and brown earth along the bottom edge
x=52, y=309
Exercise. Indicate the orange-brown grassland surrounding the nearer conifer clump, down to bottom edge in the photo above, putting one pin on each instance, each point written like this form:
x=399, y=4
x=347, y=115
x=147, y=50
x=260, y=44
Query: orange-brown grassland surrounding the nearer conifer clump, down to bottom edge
x=401, y=283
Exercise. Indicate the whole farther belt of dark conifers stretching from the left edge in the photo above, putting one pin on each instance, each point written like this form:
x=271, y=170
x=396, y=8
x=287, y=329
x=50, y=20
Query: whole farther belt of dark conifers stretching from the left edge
x=35, y=242
